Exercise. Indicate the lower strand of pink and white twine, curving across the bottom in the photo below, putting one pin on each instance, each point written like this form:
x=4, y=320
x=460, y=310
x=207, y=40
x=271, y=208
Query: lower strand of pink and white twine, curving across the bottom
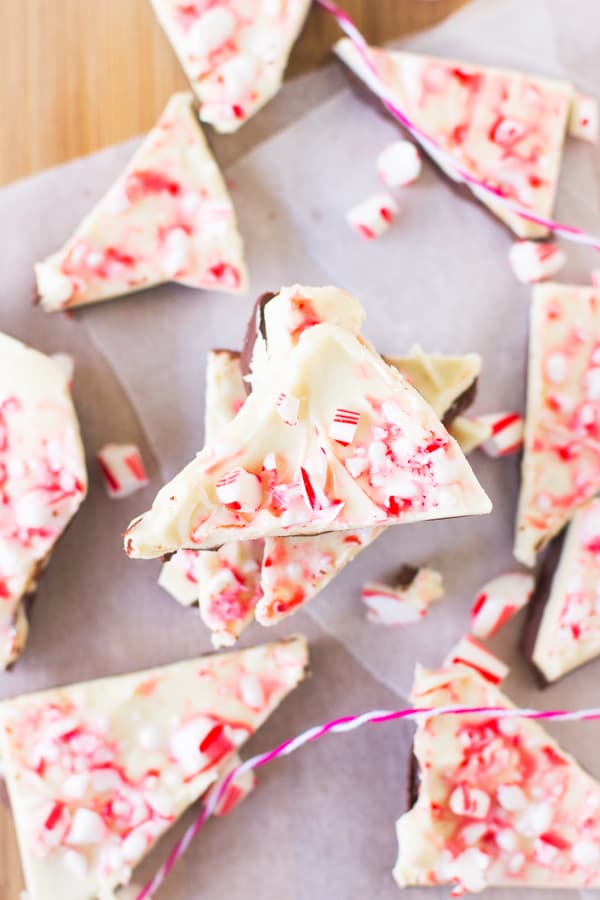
x=341, y=726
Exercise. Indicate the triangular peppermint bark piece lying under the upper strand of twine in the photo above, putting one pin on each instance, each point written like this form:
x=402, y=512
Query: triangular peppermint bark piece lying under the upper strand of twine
x=504, y=128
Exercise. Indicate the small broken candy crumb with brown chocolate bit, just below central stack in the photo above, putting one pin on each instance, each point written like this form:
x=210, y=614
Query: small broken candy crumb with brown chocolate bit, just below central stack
x=402, y=605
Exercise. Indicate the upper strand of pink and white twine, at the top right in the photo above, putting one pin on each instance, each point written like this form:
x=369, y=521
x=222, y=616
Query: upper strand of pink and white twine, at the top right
x=569, y=232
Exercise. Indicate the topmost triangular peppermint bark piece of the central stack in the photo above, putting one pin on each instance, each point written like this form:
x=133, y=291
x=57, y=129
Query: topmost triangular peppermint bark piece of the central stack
x=264, y=478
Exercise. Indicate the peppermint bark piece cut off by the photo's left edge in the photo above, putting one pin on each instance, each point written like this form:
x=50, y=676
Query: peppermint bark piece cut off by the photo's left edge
x=43, y=478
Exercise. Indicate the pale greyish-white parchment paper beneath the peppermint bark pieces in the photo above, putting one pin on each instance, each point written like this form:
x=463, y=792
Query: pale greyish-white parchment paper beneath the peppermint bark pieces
x=320, y=824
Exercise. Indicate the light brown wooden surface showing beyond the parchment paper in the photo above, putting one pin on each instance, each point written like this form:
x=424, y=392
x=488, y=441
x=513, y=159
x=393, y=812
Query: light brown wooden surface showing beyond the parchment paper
x=81, y=74
